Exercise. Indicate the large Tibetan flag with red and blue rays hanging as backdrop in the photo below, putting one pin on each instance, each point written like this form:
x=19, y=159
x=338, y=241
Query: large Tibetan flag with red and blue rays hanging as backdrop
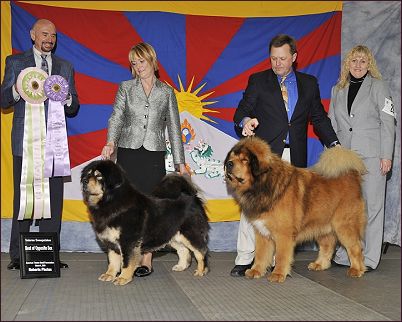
x=206, y=51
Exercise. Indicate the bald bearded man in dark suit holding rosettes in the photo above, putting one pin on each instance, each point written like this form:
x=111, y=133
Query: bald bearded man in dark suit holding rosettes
x=43, y=35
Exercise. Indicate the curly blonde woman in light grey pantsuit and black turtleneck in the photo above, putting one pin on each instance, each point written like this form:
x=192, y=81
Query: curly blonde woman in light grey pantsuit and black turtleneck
x=362, y=114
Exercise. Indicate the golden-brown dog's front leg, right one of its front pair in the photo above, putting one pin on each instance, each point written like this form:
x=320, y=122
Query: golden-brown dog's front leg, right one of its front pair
x=284, y=258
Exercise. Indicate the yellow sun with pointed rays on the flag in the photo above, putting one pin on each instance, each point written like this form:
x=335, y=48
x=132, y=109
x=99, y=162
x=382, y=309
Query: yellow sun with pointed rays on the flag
x=190, y=102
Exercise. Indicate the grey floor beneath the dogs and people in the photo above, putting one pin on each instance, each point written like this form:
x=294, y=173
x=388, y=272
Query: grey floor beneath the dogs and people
x=178, y=296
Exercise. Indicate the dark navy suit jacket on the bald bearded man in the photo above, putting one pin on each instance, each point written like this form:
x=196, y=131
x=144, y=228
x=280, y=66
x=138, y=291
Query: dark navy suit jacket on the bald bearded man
x=14, y=65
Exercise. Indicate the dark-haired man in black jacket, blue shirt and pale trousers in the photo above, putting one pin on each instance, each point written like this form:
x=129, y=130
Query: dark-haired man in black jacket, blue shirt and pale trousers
x=282, y=123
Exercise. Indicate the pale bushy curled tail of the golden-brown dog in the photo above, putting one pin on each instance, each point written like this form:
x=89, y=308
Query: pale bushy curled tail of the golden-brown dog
x=338, y=161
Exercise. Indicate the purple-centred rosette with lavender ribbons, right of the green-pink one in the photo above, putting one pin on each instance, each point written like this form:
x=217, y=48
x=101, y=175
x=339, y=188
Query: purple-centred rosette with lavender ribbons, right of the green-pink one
x=57, y=159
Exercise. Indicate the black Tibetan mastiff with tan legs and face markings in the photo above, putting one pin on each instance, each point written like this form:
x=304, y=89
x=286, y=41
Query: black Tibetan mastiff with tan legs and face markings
x=130, y=223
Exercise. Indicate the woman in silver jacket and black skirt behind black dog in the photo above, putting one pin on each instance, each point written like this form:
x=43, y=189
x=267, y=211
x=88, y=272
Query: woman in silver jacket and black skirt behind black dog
x=143, y=109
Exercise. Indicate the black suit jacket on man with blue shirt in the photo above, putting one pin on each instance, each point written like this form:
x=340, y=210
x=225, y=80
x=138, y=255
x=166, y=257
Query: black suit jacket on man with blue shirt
x=263, y=100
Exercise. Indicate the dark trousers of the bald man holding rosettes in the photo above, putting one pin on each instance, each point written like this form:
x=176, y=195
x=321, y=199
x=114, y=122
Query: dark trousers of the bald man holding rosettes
x=53, y=224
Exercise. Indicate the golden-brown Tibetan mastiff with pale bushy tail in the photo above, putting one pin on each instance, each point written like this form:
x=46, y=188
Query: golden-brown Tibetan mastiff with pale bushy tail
x=287, y=205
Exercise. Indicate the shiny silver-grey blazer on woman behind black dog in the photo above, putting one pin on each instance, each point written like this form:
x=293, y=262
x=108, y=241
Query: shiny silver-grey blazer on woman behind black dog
x=138, y=120
